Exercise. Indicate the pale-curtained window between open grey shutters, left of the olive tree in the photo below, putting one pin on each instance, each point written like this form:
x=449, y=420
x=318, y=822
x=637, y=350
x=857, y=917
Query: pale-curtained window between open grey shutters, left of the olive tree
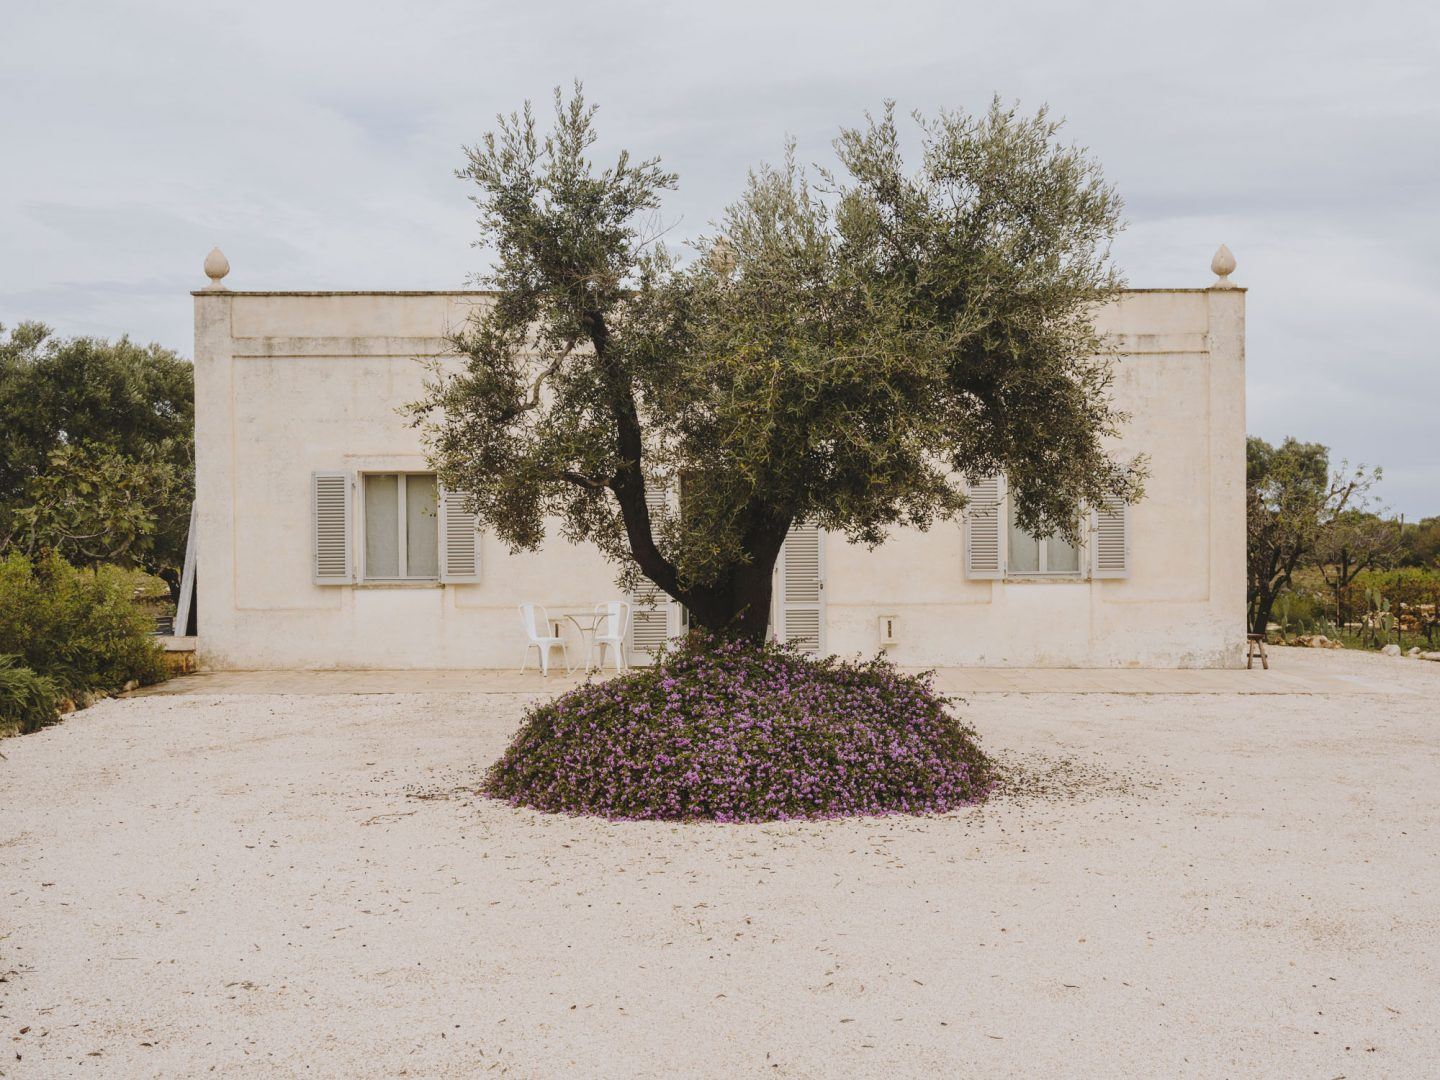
x=401, y=528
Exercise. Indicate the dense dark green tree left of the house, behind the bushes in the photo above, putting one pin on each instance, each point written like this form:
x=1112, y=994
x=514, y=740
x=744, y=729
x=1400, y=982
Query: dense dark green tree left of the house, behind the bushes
x=97, y=450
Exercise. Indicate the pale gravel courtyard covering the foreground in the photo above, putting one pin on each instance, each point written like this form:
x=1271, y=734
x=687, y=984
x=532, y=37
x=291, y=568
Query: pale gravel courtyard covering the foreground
x=1173, y=885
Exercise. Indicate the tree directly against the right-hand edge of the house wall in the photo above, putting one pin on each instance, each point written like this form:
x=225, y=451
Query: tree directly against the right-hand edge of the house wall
x=1295, y=508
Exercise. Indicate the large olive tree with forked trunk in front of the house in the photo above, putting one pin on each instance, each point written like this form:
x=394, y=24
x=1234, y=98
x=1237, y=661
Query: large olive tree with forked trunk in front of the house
x=847, y=355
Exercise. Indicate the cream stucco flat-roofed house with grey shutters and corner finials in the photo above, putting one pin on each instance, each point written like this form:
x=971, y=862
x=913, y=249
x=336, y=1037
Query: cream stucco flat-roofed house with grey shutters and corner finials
x=323, y=544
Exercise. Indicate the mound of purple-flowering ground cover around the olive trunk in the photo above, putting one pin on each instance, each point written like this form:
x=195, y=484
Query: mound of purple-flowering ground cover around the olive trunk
x=729, y=731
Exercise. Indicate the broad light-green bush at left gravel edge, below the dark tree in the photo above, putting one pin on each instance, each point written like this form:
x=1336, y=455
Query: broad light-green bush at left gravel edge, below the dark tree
x=83, y=629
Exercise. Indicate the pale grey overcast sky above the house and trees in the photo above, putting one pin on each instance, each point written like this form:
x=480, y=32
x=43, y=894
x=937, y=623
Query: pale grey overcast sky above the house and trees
x=315, y=143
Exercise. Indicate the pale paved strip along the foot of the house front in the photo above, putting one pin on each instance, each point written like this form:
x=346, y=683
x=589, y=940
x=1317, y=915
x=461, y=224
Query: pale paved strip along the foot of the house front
x=1288, y=675
